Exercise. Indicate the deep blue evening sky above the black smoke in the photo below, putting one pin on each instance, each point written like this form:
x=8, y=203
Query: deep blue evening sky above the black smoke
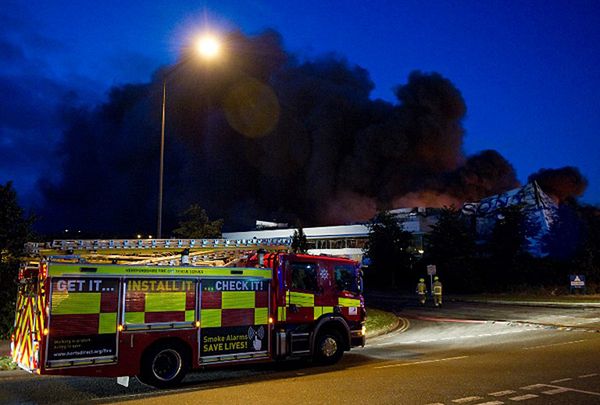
x=528, y=70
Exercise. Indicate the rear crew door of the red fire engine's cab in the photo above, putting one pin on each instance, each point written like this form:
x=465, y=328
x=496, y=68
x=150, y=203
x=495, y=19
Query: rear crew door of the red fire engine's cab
x=302, y=288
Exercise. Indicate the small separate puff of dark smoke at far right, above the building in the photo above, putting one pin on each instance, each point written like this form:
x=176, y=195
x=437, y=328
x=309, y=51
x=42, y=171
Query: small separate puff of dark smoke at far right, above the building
x=566, y=182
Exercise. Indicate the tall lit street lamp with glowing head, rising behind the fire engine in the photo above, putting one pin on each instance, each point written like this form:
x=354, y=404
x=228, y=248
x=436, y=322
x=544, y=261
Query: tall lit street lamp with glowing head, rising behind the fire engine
x=207, y=47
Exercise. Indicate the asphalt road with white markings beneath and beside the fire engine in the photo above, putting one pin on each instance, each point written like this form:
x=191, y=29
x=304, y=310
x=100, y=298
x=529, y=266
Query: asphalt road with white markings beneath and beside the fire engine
x=461, y=354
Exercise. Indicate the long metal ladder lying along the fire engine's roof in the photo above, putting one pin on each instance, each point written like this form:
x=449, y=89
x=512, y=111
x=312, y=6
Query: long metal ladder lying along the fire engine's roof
x=199, y=252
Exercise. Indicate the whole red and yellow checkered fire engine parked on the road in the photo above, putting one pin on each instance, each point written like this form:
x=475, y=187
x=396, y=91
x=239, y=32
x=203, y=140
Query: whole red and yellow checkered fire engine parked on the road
x=133, y=311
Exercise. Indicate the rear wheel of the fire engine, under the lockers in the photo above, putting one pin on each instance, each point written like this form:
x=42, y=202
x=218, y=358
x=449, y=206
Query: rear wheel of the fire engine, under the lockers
x=164, y=366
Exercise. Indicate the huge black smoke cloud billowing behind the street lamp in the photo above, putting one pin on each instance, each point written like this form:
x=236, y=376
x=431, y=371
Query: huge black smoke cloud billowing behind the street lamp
x=261, y=135
